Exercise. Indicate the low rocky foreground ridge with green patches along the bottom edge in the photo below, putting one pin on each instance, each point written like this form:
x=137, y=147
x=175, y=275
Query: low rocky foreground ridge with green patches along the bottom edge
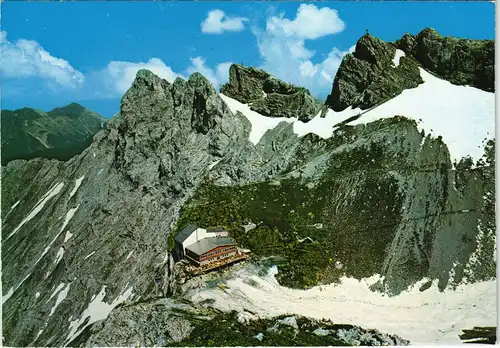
x=179, y=324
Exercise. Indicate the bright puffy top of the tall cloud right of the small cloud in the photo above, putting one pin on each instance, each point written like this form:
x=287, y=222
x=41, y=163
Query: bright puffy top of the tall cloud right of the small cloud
x=310, y=23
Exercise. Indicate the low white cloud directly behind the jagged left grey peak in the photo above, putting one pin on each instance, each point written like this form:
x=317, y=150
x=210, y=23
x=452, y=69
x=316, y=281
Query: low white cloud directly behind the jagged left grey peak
x=120, y=75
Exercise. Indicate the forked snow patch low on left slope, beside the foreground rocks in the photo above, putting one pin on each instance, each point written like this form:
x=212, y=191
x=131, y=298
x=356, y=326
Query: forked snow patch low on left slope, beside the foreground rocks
x=96, y=310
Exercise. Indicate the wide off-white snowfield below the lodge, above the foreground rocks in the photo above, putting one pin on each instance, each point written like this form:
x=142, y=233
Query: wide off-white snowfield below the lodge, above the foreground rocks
x=429, y=317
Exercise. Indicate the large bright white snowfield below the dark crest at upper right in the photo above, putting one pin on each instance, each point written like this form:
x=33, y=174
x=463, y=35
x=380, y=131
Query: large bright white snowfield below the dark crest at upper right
x=463, y=116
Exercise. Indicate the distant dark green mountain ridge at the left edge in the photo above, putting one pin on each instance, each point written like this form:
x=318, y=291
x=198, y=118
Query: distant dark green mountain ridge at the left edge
x=60, y=133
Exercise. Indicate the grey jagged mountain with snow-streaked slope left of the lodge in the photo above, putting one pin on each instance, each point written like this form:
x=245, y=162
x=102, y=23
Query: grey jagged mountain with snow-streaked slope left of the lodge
x=107, y=213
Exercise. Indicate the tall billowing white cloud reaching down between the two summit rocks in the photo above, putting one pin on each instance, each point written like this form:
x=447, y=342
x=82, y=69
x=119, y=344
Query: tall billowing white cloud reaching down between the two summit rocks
x=282, y=47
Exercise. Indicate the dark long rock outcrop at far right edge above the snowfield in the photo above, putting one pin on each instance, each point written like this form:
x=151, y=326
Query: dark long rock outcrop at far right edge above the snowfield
x=460, y=61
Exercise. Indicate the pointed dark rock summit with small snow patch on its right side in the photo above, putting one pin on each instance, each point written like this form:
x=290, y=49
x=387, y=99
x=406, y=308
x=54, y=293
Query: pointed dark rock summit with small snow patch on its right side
x=370, y=76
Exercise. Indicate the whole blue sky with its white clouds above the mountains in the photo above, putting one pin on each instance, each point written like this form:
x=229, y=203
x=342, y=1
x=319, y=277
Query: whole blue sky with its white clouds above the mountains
x=54, y=53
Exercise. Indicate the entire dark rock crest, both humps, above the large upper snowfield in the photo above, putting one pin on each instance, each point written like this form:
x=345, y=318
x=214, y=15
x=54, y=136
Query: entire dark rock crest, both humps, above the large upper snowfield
x=375, y=73
